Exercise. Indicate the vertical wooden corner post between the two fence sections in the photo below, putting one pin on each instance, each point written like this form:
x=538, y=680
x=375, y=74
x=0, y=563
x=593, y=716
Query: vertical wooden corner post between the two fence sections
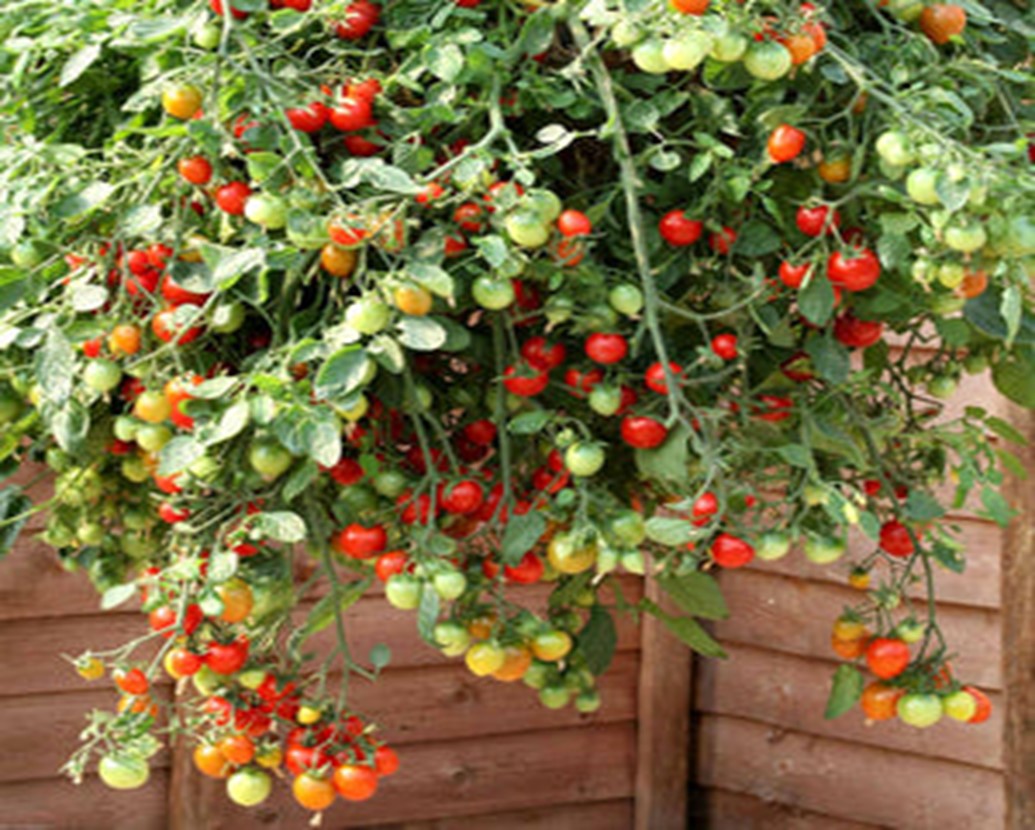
x=664, y=725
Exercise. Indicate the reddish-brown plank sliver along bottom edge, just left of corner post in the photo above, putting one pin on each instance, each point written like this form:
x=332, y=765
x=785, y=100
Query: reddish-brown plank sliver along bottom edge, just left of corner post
x=603, y=816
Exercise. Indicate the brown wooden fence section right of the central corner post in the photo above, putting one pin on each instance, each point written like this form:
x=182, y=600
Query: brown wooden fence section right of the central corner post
x=763, y=756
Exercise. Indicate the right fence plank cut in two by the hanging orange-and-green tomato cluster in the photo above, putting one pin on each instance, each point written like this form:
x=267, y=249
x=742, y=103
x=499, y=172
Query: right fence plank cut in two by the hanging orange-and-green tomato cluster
x=795, y=617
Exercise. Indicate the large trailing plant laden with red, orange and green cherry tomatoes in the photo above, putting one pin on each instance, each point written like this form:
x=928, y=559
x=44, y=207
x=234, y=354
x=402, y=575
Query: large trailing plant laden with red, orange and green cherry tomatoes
x=490, y=295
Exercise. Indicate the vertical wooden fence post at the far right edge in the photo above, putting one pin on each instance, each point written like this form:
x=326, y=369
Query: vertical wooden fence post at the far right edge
x=1019, y=638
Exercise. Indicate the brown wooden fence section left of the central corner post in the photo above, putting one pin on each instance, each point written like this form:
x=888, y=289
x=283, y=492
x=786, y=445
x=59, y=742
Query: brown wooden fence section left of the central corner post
x=476, y=754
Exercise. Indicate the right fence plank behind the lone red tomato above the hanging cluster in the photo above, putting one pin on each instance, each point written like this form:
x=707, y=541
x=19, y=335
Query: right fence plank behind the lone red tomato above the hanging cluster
x=979, y=586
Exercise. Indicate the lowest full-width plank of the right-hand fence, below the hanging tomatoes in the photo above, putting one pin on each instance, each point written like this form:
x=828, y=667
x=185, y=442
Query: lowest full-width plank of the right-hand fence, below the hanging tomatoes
x=847, y=781
